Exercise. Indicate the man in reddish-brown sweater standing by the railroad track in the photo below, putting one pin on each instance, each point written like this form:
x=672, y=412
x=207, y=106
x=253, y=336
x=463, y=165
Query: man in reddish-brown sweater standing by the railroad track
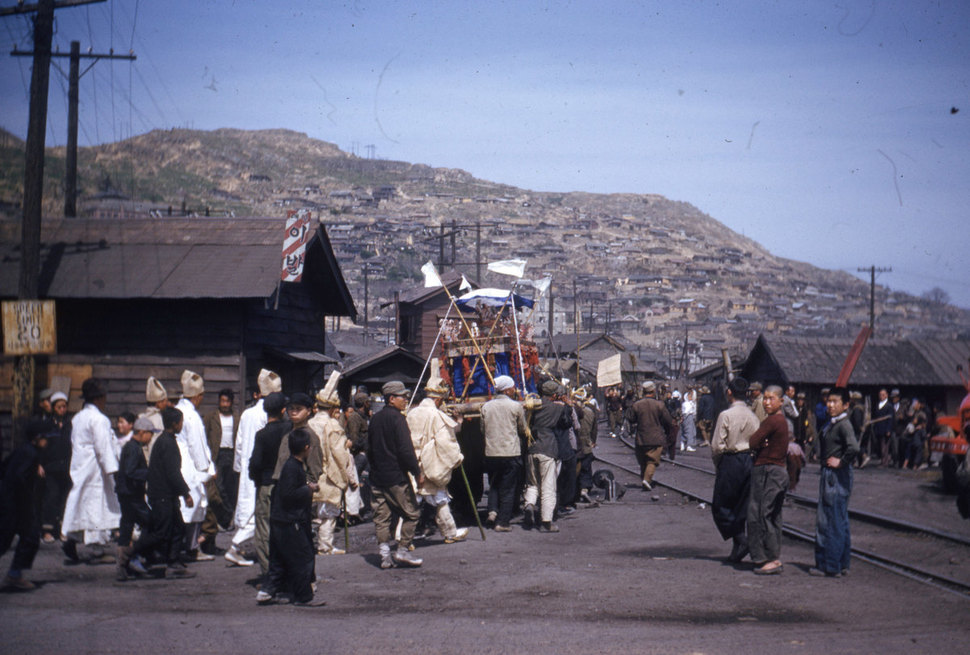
x=769, y=481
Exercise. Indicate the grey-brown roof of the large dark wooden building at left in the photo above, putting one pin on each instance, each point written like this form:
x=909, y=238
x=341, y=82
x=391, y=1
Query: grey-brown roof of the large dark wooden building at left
x=170, y=258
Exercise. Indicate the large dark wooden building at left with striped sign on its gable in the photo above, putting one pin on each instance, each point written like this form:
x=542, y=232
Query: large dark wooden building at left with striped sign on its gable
x=140, y=297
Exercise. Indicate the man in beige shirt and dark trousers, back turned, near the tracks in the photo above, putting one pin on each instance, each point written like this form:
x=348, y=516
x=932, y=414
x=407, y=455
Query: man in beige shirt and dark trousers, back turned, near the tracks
x=730, y=449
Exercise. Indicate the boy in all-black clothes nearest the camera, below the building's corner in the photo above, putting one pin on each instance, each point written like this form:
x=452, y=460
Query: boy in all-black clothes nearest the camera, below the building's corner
x=291, y=551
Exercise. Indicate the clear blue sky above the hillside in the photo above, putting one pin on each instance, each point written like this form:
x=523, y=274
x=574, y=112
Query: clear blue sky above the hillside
x=834, y=133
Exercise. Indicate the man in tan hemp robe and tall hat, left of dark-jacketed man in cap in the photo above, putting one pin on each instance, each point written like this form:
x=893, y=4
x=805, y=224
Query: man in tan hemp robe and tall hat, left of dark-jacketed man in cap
x=338, y=473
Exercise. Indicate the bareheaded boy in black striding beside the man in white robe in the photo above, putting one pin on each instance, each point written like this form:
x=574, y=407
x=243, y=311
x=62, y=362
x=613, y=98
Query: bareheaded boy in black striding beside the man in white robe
x=165, y=485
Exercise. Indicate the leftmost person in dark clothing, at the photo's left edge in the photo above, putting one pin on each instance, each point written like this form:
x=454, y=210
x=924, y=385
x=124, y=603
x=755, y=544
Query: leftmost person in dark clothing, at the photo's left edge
x=19, y=502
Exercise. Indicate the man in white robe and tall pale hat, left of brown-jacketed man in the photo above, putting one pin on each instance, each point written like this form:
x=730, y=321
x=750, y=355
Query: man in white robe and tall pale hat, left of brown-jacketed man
x=197, y=466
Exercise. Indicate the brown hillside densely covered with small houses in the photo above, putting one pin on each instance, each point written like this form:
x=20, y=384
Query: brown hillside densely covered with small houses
x=645, y=267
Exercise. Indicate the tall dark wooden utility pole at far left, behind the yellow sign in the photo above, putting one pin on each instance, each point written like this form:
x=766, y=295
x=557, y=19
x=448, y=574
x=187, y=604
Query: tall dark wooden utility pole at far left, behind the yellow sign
x=24, y=365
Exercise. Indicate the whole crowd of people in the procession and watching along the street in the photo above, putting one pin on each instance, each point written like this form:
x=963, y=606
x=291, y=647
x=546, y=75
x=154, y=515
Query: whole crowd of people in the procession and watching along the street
x=283, y=472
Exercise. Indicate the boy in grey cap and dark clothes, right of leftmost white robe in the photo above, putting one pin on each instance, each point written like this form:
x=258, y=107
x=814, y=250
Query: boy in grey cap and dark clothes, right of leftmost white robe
x=130, y=481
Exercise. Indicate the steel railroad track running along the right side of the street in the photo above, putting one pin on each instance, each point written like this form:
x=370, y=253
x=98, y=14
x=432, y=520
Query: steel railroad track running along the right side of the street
x=898, y=567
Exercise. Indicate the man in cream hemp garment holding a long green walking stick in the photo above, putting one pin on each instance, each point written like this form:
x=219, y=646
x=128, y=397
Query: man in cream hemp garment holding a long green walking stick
x=438, y=452
